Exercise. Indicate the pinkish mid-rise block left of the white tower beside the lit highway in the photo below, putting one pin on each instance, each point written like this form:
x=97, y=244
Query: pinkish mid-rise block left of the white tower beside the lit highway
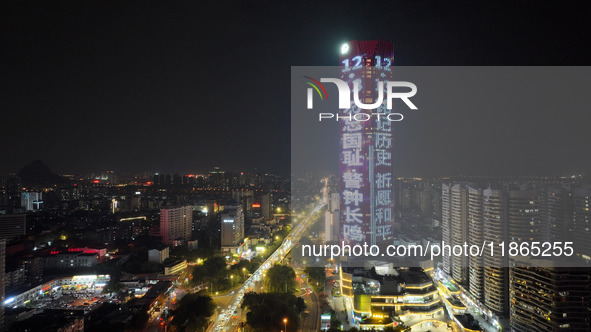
x=176, y=224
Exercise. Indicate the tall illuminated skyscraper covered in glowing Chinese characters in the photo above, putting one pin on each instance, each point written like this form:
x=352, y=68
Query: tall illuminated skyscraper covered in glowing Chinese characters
x=366, y=175
